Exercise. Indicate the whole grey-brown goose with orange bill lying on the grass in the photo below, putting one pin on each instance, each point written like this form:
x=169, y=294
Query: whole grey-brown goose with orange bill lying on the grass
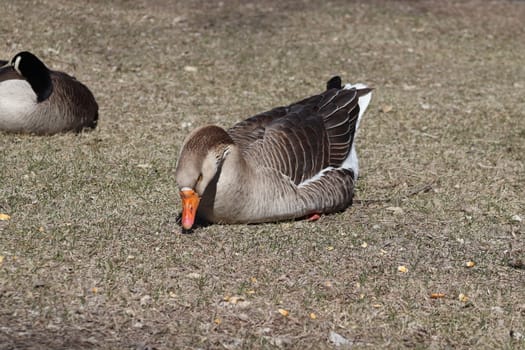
x=296, y=161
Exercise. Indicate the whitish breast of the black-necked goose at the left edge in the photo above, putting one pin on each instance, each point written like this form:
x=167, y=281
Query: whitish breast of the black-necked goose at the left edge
x=17, y=101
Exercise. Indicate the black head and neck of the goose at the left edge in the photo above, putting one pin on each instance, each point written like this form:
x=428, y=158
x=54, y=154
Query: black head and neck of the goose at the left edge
x=35, y=72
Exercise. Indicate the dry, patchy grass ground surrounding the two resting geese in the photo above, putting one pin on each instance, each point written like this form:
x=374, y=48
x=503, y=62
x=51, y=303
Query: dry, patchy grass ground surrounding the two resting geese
x=92, y=256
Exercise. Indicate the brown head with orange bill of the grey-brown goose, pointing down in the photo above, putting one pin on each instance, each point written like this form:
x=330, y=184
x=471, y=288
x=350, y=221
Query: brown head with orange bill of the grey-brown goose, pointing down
x=199, y=165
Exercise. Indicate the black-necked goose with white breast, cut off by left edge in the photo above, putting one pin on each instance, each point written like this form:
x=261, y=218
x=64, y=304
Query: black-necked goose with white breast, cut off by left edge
x=37, y=100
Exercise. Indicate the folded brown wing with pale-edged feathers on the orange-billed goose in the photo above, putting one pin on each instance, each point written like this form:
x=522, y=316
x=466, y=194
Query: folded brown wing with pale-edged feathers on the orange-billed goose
x=302, y=139
